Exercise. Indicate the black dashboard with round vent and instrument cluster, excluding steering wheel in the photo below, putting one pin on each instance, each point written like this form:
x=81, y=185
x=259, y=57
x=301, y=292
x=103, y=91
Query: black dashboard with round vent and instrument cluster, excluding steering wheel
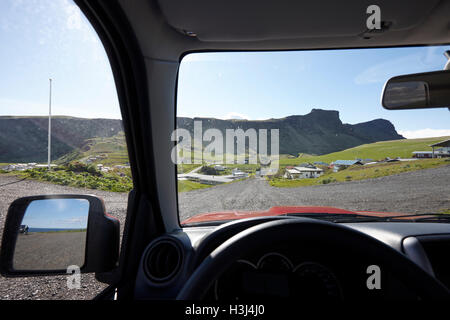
x=317, y=270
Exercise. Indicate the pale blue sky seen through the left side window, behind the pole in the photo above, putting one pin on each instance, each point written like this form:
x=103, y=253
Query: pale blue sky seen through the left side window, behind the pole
x=42, y=39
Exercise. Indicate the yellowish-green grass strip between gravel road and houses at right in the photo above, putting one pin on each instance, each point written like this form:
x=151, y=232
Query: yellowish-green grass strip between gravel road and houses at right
x=358, y=172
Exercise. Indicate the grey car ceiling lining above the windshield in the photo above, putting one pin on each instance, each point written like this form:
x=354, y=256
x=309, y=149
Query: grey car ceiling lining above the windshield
x=162, y=26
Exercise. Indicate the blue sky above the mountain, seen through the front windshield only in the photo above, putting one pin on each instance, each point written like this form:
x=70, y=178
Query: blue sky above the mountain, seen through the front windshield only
x=277, y=84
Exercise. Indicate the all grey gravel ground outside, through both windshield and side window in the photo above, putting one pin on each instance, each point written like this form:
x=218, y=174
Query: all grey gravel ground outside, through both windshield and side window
x=413, y=192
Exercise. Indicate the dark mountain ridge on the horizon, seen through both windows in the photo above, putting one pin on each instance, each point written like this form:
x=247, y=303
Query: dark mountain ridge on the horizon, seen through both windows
x=24, y=138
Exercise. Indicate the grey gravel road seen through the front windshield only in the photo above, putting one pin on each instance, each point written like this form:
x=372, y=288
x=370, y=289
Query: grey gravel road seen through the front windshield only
x=412, y=192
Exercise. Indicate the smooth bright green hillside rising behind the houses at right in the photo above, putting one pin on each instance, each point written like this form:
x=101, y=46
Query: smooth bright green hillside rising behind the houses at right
x=376, y=151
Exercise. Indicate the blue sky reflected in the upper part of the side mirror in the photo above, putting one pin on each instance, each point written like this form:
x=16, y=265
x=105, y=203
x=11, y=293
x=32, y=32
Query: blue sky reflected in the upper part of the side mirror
x=57, y=213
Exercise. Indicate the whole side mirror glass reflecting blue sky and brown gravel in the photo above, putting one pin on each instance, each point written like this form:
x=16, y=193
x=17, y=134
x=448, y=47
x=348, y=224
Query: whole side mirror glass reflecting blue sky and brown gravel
x=52, y=235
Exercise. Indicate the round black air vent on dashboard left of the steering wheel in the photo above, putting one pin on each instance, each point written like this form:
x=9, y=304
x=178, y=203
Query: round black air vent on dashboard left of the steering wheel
x=163, y=261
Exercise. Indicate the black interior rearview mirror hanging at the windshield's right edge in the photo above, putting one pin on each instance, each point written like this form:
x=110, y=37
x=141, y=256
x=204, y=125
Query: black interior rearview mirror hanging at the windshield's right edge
x=417, y=91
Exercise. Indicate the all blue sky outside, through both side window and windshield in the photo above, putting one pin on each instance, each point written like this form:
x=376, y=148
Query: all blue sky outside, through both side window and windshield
x=44, y=39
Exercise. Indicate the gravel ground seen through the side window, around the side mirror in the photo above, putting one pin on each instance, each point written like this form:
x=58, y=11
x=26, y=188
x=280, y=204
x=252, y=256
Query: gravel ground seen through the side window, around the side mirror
x=52, y=287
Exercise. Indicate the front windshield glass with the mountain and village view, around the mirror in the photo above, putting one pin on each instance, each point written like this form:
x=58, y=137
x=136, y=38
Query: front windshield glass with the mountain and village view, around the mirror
x=304, y=133
